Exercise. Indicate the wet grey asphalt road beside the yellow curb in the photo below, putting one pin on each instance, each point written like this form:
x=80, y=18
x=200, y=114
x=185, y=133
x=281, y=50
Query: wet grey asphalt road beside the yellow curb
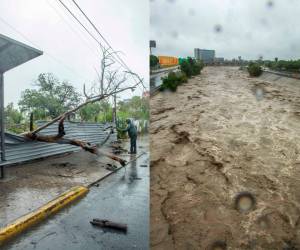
x=122, y=197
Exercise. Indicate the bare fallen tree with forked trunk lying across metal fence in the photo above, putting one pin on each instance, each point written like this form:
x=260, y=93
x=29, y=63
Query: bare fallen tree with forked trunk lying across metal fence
x=110, y=84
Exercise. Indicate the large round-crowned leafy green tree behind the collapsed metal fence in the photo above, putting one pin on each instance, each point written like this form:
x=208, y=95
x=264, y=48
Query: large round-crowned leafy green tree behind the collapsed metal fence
x=50, y=99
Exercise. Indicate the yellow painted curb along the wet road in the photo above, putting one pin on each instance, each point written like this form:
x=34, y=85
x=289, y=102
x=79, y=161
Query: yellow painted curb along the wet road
x=41, y=213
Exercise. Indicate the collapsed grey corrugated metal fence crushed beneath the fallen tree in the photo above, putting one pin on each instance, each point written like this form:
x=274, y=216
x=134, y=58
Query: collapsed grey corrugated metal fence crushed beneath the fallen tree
x=19, y=149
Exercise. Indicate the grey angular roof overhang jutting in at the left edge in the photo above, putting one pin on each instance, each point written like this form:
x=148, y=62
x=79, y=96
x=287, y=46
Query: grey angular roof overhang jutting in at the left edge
x=14, y=53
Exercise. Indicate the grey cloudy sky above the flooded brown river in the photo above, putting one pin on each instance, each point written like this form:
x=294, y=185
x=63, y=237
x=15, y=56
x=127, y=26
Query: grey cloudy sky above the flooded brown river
x=248, y=28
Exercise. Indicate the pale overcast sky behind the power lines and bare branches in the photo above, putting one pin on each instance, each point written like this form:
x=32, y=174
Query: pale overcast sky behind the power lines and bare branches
x=125, y=24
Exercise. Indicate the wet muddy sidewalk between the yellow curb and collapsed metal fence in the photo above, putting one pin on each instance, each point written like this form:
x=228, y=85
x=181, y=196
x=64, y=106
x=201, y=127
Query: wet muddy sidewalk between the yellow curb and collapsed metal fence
x=29, y=186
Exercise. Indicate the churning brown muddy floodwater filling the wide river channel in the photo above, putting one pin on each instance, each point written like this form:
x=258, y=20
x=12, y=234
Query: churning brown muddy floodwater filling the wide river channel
x=225, y=164
